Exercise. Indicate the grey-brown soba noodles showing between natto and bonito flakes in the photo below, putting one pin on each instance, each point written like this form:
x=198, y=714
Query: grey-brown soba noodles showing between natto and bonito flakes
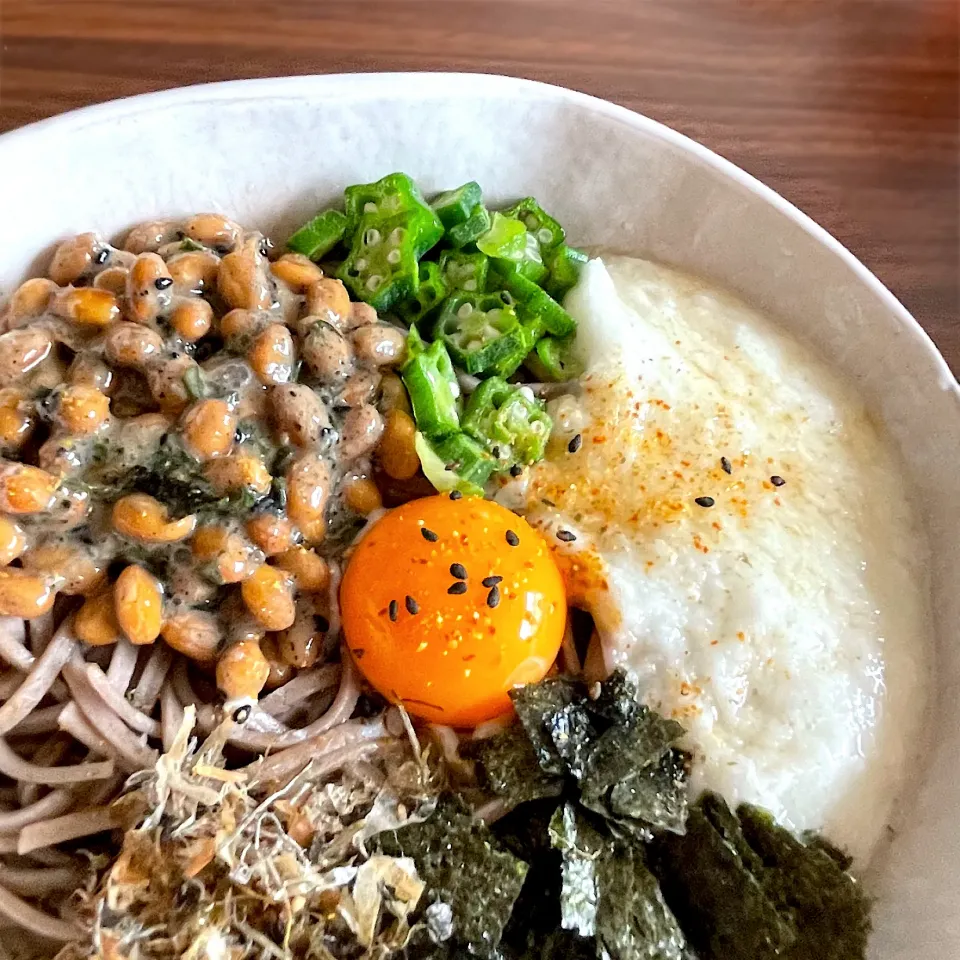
x=75, y=720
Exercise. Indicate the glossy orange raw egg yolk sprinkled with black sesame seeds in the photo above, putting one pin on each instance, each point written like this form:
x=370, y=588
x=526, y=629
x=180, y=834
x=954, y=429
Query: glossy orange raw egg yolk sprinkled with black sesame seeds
x=448, y=604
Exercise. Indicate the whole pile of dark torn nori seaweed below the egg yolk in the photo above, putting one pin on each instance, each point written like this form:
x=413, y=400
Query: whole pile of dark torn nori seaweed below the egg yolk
x=620, y=868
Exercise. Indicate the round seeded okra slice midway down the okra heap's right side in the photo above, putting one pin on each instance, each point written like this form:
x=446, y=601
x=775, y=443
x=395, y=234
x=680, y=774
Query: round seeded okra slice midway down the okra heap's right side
x=483, y=333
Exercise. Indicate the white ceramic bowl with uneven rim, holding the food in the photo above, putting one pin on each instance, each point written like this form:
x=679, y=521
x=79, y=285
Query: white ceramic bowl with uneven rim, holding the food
x=271, y=152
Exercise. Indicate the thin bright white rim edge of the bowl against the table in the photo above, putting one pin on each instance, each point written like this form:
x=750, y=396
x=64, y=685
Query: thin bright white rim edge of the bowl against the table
x=401, y=85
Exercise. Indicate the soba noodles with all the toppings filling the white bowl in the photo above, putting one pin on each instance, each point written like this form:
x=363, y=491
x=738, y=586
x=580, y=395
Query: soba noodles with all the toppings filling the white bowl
x=415, y=577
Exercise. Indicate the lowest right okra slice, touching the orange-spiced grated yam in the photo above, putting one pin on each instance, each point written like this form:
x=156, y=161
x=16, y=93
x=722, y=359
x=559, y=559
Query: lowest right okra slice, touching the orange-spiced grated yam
x=506, y=418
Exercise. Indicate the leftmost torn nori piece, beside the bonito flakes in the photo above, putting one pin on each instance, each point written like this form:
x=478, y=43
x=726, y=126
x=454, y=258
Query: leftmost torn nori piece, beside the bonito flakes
x=460, y=861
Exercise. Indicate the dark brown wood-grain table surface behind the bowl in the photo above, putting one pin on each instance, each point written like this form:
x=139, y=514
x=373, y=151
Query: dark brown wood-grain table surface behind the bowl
x=849, y=108
